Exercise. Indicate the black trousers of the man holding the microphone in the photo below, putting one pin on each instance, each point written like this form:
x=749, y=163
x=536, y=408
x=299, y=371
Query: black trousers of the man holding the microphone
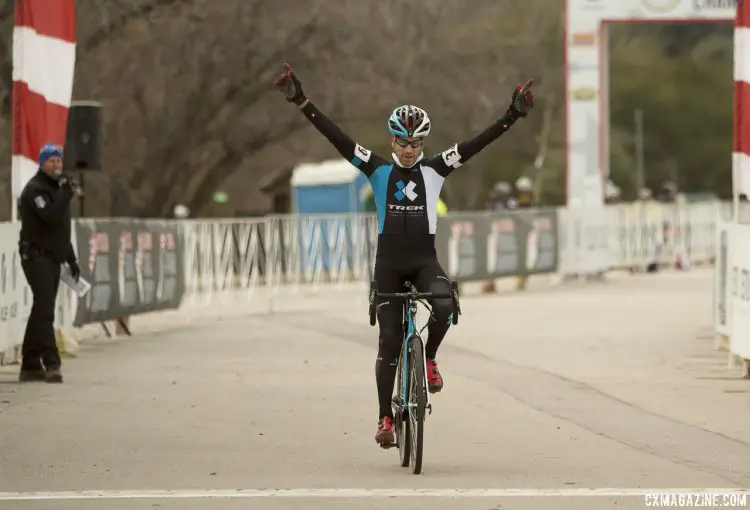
x=39, y=346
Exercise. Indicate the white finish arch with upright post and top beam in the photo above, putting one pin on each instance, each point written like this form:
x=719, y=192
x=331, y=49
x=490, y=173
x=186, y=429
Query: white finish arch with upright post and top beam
x=586, y=79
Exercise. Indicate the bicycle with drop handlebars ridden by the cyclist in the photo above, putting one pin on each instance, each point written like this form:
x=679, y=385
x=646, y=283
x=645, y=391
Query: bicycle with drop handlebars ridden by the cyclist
x=411, y=404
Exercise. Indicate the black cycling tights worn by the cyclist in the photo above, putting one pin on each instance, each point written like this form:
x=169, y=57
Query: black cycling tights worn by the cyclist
x=429, y=277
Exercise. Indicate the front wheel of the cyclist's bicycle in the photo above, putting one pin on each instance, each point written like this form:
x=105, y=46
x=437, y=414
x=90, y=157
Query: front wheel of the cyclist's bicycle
x=417, y=402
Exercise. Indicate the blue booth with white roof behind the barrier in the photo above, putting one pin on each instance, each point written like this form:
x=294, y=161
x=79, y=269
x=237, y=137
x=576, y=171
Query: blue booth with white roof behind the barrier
x=329, y=187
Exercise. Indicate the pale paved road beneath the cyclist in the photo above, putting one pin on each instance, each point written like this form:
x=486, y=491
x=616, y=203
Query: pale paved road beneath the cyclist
x=606, y=385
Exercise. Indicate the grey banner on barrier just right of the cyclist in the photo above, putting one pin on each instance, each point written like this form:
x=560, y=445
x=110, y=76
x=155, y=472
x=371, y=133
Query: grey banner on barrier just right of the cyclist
x=476, y=246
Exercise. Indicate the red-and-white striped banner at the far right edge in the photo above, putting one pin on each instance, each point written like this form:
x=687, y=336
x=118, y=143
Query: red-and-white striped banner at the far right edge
x=741, y=150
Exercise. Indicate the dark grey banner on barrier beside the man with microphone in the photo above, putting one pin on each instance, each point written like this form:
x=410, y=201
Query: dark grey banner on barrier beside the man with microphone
x=134, y=266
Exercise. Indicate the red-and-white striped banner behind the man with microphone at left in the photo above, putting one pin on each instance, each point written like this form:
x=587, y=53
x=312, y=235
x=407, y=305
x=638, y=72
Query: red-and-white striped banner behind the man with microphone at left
x=44, y=56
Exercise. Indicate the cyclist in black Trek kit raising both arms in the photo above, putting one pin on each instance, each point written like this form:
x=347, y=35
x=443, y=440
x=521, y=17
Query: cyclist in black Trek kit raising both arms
x=406, y=188
